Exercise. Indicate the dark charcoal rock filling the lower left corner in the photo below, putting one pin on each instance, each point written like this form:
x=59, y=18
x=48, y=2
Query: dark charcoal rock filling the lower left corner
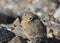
x=6, y=36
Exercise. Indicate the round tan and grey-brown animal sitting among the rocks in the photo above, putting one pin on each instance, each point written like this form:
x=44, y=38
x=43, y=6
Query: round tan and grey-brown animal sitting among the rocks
x=33, y=27
